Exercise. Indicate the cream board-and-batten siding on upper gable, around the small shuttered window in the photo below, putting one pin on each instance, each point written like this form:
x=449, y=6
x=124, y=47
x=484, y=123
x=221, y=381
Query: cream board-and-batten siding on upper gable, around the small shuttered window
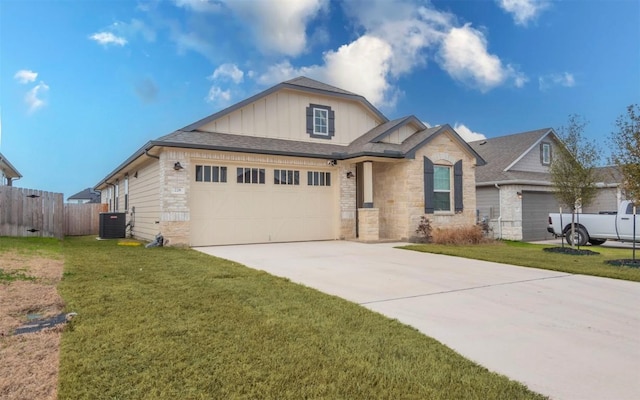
x=282, y=115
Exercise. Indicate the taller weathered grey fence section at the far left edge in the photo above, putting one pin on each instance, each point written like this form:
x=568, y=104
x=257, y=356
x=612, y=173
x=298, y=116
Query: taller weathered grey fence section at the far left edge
x=28, y=212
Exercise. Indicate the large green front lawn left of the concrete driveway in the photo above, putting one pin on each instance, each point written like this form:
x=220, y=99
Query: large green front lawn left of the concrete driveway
x=166, y=323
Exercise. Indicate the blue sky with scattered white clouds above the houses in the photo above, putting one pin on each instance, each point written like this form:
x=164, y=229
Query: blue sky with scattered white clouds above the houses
x=83, y=84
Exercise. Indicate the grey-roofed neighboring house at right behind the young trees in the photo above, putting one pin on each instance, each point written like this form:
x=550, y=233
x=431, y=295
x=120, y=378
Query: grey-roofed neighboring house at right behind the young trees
x=514, y=190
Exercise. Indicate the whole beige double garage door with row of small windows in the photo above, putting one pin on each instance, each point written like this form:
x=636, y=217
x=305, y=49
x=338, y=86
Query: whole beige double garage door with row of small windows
x=238, y=204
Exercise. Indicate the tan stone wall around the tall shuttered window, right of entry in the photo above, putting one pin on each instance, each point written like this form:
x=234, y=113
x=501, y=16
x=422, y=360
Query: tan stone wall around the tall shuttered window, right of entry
x=399, y=190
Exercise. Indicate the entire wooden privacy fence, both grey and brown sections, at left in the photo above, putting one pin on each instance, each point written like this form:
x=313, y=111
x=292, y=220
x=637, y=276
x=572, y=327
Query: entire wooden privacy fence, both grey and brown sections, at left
x=28, y=212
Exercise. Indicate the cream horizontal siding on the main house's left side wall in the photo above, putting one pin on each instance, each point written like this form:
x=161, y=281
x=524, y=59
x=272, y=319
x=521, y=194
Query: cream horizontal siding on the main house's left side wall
x=144, y=197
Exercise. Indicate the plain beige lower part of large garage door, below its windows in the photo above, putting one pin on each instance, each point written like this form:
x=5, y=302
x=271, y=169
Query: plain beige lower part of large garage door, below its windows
x=232, y=213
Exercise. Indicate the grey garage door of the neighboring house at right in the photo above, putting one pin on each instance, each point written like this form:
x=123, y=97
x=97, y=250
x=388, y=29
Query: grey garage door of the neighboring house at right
x=536, y=207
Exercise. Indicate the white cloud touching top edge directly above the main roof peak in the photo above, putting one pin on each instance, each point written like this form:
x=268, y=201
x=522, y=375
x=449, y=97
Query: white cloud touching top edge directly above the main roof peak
x=279, y=26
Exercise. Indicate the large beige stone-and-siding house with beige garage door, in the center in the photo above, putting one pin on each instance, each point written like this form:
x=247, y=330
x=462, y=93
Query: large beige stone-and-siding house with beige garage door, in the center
x=300, y=161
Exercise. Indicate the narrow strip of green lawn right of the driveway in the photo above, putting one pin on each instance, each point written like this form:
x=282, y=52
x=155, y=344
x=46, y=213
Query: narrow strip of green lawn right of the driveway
x=532, y=255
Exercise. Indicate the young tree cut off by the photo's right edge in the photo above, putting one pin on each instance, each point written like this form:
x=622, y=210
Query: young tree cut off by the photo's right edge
x=626, y=150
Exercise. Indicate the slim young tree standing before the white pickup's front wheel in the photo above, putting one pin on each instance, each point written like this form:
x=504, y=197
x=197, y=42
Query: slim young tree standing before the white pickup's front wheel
x=573, y=171
